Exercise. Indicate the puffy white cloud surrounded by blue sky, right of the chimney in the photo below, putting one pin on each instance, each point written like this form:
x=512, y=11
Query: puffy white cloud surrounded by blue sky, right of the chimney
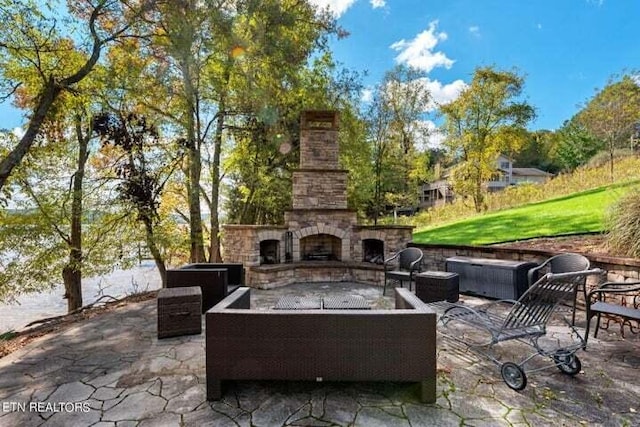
x=418, y=53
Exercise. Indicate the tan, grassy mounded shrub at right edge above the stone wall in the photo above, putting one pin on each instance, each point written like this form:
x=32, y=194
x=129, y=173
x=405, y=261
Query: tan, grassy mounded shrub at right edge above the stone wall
x=624, y=231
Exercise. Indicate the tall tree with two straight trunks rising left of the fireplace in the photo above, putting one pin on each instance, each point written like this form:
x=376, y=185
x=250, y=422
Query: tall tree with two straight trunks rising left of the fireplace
x=227, y=67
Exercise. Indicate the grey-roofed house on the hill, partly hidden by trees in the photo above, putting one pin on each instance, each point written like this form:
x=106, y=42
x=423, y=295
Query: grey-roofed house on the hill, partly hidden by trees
x=439, y=192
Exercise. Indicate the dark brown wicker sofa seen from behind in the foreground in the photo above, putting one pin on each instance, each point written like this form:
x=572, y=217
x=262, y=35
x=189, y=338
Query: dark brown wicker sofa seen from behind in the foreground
x=321, y=345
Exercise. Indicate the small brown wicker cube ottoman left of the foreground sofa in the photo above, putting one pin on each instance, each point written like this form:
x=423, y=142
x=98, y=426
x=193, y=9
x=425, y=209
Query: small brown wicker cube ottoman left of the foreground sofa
x=179, y=311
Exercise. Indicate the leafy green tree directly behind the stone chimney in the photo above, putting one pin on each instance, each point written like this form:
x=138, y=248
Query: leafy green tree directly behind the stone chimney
x=265, y=152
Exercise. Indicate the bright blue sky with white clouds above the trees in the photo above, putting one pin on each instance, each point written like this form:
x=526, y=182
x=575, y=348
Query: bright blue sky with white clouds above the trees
x=565, y=49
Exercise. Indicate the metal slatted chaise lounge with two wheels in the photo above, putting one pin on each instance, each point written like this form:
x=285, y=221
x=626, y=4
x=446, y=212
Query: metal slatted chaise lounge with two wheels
x=525, y=321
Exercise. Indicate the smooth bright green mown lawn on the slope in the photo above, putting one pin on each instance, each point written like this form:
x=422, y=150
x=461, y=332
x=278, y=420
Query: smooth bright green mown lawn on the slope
x=578, y=213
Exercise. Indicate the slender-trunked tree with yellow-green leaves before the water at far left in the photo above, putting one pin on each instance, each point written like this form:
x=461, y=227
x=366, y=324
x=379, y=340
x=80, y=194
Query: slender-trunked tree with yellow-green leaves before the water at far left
x=63, y=224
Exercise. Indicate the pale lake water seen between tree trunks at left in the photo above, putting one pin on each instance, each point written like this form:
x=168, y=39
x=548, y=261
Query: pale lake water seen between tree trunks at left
x=118, y=284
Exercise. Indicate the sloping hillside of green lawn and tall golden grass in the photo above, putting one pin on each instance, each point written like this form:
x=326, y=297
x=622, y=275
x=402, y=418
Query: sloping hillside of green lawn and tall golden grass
x=573, y=213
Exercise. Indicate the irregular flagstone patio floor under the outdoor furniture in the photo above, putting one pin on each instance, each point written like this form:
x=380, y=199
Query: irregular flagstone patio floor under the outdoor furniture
x=112, y=370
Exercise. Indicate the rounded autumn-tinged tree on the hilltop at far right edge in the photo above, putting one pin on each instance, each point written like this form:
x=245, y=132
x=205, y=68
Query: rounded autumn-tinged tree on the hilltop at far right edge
x=613, y=114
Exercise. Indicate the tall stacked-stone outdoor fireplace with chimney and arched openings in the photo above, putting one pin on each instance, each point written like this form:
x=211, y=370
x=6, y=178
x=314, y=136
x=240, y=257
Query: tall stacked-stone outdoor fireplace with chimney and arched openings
x=321, y=240
